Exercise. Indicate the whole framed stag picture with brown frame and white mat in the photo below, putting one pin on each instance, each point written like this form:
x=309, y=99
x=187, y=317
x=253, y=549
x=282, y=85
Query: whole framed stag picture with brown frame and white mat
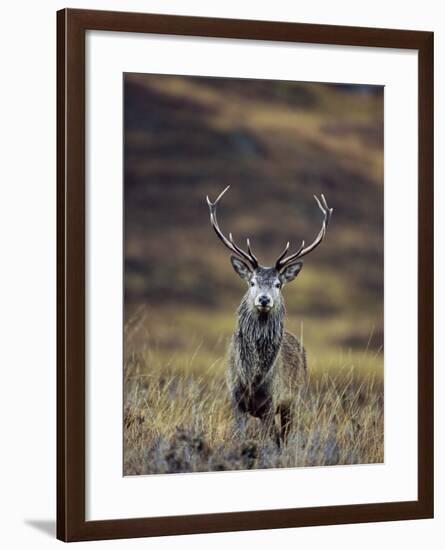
x=245, y=275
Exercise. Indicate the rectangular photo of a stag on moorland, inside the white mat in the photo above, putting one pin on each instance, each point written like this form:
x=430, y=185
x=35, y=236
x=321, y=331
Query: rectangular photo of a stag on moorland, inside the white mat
x=253, y=274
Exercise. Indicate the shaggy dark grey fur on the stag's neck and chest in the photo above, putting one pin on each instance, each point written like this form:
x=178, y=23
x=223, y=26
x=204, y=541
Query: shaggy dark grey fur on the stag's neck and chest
x=258, y=338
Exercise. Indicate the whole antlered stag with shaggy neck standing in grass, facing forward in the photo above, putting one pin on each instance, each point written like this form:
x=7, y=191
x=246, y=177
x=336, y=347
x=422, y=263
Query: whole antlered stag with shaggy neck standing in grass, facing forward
x=267, y=365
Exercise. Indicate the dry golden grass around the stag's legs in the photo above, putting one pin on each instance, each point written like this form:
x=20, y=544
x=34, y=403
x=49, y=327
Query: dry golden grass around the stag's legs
x=178, y=419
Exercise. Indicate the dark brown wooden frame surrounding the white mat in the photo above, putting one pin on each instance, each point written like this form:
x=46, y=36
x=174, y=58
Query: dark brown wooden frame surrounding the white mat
x=71, y=28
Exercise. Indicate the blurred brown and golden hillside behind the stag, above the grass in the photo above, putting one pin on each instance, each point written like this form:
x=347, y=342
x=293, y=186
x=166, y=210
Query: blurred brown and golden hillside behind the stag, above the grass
x=276, y=144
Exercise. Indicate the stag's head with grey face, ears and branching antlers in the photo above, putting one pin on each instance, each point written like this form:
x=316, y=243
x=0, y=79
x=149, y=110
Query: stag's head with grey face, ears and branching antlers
x=265, y=283
